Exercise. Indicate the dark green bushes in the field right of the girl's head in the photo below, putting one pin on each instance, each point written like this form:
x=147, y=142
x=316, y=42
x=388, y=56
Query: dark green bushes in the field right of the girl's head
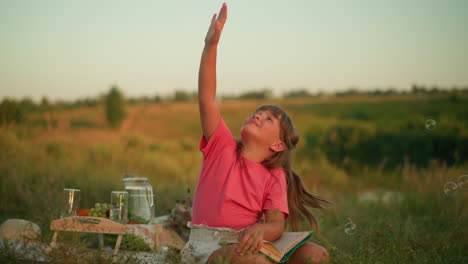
x=354, y=146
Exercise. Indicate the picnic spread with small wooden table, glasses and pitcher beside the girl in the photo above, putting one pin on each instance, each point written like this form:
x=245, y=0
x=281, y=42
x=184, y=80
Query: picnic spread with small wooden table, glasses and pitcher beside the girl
x=130, y=213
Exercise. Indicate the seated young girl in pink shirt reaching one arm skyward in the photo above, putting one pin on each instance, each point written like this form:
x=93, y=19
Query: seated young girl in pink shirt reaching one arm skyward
x=242, y=182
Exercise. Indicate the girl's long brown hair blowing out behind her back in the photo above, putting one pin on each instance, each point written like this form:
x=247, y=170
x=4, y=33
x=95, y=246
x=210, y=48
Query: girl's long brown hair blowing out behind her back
x=298, y=197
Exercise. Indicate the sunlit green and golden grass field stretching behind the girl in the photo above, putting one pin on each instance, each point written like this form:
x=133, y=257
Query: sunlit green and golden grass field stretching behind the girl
x=401, y=212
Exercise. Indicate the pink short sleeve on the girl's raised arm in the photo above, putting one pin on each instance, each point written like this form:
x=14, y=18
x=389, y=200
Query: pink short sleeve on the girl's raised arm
x=221, y=138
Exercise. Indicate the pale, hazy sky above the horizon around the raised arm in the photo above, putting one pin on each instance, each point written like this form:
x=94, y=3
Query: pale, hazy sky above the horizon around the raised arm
x=67, y=49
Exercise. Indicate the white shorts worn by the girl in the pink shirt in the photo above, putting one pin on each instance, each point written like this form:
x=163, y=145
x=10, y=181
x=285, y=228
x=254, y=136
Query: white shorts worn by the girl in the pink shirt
x=204, y=240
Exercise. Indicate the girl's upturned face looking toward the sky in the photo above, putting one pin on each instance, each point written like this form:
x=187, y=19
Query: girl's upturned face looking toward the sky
x=262, y=126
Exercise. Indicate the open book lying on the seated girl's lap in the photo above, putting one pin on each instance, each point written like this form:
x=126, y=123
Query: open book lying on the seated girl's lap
x=281, y=249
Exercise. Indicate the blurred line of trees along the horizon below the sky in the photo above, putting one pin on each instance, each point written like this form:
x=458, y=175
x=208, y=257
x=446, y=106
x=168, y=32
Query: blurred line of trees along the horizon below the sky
x=14, y=111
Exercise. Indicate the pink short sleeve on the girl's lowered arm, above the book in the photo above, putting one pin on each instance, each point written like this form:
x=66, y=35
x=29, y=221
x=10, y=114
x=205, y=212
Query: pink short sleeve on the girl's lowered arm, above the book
x=277, y=192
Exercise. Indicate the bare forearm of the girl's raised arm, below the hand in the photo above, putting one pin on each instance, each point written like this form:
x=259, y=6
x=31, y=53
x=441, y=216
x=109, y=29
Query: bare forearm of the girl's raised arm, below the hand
x=207, y=75
